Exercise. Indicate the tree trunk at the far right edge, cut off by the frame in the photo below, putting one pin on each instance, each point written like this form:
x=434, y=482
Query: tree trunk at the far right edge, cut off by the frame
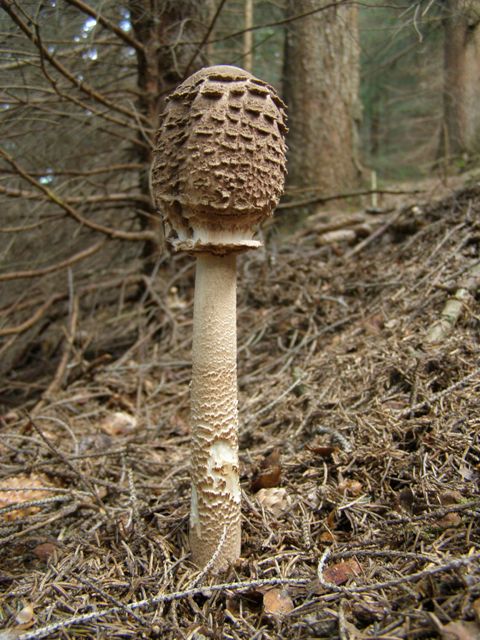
x=461, y=99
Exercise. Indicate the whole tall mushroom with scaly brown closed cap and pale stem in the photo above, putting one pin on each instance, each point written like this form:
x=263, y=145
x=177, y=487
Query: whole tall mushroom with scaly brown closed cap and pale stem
x=218, y=172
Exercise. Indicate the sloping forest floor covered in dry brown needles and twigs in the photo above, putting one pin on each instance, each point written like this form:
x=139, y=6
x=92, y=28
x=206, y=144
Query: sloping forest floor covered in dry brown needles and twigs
x=359, y=398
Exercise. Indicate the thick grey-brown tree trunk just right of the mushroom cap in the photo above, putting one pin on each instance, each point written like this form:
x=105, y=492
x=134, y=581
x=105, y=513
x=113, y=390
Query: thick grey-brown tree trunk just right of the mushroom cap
x=321, y=90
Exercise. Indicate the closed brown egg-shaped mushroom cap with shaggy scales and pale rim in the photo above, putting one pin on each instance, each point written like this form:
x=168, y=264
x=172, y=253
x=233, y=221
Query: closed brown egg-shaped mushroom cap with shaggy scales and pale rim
x=219, y=160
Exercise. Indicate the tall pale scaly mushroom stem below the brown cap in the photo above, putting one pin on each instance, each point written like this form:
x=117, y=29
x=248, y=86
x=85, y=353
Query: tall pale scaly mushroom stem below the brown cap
x=216, y=496
